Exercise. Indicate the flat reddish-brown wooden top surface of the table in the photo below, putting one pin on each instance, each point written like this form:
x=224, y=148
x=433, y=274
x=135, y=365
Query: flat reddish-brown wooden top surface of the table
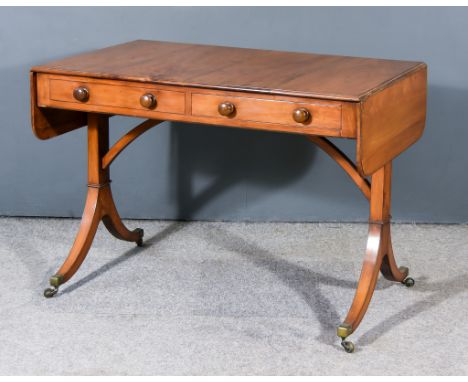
x=237, y=69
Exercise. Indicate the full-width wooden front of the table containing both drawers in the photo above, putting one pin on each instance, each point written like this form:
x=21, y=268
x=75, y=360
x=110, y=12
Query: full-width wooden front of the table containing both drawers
x=187, y=104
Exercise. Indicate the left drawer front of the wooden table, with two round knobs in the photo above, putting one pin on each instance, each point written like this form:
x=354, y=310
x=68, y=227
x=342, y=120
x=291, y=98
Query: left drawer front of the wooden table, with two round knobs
x=113, y=95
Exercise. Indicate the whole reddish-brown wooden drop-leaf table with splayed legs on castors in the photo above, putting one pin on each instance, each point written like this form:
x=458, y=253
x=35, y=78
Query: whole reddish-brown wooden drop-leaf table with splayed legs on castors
x=380, y=104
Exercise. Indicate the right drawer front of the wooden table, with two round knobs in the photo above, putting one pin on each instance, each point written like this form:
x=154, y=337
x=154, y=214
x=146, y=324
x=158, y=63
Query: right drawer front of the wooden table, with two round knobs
x=321, y=115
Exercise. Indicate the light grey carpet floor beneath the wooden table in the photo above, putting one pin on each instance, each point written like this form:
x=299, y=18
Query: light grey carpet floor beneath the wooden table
x=229, y=298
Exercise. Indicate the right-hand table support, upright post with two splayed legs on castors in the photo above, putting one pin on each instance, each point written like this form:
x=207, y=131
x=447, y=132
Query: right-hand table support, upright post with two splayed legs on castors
x=379, y=255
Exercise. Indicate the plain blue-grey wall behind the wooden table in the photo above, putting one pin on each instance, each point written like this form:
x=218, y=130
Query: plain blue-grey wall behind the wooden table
x=201, y=172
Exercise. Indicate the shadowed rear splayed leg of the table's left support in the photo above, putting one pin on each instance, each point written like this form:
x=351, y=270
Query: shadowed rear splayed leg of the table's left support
x=113, y=222
